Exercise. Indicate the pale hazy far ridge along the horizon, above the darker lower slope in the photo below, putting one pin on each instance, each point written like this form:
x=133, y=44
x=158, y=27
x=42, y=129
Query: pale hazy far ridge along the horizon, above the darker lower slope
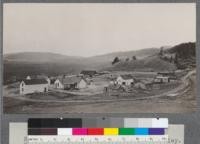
x=40, y=57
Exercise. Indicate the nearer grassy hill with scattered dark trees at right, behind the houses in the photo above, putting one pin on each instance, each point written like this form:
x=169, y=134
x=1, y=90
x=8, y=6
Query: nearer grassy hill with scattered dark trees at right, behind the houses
x=177, y=57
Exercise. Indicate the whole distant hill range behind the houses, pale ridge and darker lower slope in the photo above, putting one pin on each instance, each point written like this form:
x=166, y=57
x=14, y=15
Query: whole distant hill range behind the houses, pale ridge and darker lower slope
x=35, y=63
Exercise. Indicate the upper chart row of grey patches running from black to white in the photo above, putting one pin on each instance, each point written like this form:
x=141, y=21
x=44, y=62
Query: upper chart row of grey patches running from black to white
x=98, y=122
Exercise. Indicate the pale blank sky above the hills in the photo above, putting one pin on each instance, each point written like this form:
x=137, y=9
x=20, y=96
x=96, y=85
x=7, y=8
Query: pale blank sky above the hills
x=95, y=29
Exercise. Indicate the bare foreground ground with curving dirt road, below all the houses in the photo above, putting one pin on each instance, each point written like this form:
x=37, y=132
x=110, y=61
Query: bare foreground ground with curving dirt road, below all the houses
x=184, y=101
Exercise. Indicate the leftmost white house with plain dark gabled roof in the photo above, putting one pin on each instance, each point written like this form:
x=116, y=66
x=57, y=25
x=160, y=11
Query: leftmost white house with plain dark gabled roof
x=33, y=85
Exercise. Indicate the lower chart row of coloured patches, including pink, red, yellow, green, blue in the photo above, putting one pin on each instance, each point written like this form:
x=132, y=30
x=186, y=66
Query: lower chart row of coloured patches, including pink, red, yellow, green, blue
x=96, y=131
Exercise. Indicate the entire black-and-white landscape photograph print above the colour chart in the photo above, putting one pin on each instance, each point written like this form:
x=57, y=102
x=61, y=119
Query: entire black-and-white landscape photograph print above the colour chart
x=99, y=58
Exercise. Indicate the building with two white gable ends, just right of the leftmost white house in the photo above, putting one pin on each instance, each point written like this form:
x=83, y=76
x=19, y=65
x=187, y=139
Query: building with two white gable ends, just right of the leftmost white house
x=70, y=82
